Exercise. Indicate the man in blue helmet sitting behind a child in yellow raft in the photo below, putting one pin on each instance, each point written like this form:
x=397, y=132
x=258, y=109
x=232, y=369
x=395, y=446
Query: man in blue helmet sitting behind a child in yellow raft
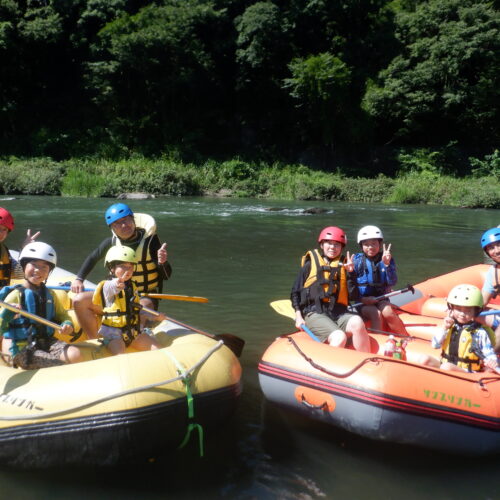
x=137, y=231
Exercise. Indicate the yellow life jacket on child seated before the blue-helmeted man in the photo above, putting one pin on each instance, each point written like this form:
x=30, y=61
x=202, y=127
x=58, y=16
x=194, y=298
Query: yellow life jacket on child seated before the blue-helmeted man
x=121, y=314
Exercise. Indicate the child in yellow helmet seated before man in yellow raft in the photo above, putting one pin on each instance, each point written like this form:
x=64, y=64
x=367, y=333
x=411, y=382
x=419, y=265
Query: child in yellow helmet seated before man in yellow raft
x=117, y=300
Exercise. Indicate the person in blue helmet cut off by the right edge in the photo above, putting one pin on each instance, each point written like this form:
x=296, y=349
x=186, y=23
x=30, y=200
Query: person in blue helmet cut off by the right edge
x=490, y=242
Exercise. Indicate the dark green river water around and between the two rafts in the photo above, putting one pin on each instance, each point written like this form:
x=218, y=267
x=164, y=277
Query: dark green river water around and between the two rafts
x=242, y=254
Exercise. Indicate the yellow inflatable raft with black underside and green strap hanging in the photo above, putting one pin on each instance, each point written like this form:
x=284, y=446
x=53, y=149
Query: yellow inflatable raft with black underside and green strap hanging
x=115, y=409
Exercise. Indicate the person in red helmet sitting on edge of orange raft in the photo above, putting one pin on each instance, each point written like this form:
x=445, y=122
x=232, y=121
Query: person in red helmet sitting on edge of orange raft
x=322, y=290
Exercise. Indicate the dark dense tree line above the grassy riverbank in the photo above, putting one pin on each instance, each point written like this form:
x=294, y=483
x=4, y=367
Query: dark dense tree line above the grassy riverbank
x=335, y=84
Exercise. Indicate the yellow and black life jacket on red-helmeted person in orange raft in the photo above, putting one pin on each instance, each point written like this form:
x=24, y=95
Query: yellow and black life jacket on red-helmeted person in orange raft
x=326, y=284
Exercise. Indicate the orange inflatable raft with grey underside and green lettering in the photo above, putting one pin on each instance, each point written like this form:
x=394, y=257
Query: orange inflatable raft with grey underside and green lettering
x=385, y=398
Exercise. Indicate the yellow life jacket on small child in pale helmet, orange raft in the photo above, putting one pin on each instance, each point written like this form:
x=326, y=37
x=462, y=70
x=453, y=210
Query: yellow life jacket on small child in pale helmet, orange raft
x=458, y=347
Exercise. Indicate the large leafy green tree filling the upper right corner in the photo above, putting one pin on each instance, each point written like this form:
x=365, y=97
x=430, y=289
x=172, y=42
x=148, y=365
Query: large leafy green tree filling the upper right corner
x=445, y=80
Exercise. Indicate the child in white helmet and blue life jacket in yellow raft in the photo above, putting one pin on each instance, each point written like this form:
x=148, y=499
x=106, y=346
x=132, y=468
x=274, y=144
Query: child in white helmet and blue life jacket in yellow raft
x=32, y=344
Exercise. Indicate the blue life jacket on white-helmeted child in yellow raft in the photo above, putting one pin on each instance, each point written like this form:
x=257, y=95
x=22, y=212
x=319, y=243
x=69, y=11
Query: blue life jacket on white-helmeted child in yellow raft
x=22, y=328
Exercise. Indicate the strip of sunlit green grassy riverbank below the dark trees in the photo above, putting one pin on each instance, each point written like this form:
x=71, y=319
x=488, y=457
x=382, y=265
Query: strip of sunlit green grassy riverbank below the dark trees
x=102, y=178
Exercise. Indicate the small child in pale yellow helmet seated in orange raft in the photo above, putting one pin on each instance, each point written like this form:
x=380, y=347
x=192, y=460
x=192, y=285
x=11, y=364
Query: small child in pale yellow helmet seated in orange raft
x=466, y=345
